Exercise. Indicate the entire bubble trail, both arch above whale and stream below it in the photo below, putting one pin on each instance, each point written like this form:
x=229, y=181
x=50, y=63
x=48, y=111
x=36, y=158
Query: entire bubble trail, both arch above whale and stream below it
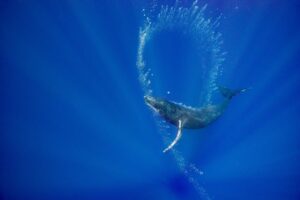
x=202, y=30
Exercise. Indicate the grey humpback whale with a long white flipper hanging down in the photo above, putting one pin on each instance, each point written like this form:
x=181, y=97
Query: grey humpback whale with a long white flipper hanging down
x=189, y=117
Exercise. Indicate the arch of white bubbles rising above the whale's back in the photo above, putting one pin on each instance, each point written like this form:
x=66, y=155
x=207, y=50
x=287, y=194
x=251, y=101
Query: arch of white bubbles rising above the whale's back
x=192, y=21
